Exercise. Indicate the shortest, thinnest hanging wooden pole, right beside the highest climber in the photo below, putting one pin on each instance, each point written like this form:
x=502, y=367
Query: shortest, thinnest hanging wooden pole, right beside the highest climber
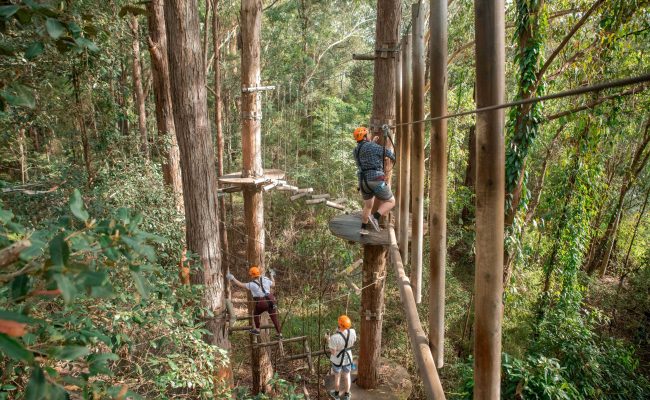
x=405, y=166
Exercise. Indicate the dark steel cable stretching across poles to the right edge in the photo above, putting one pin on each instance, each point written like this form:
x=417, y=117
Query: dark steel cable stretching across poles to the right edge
x=559, y=95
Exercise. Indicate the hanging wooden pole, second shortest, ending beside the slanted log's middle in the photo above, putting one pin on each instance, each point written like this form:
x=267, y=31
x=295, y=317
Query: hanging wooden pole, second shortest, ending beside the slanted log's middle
x=417, y=151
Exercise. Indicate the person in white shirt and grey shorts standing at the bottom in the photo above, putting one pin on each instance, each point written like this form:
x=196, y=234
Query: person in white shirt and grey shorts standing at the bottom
x=340, y=345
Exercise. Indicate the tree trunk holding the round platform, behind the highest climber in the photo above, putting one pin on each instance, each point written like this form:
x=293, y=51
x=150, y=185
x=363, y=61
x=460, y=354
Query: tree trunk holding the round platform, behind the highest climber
x=374, y=258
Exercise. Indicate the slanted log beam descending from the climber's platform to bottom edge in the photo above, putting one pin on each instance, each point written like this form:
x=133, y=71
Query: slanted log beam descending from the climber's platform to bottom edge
x=419, y=341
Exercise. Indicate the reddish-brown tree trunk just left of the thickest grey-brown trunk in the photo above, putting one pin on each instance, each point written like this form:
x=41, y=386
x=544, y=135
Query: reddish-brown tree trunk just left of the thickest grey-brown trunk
x=162, y=91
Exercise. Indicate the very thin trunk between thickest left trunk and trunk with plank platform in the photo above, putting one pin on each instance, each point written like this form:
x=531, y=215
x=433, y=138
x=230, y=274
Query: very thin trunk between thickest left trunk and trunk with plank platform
x=218, y=106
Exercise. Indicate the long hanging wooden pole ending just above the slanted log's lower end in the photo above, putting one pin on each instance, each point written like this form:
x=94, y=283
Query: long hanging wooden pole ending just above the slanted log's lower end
x=438, y=187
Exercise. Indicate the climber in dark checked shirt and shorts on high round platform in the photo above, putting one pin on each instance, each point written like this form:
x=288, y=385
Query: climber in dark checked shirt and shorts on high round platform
x=369, y=157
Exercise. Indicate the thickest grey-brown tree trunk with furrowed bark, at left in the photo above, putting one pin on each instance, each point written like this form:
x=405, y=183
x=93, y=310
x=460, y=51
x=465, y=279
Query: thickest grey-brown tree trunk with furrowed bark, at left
x=189, y=98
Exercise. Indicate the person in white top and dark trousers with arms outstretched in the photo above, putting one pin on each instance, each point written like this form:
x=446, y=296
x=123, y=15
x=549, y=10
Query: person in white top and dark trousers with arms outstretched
x=260, y=287
